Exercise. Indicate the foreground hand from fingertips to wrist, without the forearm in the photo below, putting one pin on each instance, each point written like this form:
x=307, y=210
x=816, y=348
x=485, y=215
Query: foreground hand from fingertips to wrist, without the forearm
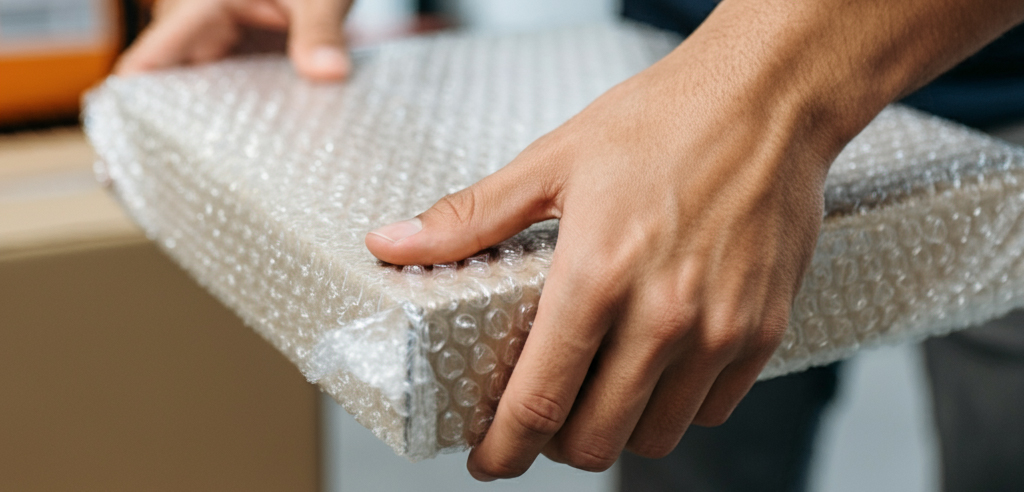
x=689, y=212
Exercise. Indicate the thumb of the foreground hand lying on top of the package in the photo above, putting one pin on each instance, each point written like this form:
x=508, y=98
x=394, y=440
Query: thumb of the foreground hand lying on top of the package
x=462, y=224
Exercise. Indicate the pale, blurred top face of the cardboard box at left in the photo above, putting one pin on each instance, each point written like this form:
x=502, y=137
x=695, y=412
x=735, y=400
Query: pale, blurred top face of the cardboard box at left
x=50, y=200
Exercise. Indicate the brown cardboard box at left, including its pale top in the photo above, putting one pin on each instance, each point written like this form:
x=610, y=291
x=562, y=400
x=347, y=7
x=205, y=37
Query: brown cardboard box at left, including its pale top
x=117, y=372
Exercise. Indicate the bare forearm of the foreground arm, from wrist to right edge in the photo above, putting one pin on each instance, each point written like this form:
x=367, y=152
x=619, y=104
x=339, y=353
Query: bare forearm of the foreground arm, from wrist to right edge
x=829, y=67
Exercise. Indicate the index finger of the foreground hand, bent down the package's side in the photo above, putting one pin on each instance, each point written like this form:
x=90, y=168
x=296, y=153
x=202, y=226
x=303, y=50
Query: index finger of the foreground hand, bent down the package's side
x=544, y=385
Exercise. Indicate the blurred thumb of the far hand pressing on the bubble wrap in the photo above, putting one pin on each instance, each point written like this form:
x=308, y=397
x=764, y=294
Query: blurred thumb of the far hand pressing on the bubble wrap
x=316, y=44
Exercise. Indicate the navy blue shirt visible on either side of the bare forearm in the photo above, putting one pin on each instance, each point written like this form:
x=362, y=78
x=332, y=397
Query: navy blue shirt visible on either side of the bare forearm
x=985, y=91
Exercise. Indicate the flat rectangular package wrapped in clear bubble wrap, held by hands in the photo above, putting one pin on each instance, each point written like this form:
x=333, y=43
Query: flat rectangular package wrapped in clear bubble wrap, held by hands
x=263, y=186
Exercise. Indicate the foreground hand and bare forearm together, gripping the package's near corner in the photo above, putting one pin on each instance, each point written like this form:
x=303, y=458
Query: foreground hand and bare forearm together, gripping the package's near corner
x=690, y=200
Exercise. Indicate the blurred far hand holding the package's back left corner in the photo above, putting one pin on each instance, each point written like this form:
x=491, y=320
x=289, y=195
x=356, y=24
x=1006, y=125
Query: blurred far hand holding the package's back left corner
x=187, y=32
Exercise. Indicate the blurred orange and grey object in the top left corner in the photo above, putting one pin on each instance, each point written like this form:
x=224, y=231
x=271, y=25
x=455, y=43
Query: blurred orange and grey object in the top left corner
x=51, y=53
